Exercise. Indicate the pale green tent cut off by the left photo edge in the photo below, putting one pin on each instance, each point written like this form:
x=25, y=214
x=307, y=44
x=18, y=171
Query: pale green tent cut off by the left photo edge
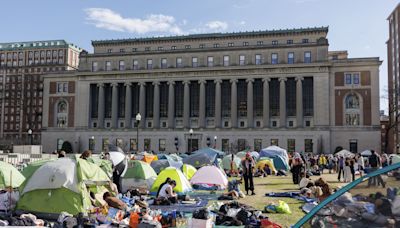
x=10, y=176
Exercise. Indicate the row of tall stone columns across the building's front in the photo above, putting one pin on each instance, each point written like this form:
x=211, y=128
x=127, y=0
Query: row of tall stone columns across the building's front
x=202, y=103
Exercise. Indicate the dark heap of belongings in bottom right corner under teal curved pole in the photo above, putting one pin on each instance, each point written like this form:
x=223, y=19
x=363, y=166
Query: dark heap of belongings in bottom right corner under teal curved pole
x=375, y=210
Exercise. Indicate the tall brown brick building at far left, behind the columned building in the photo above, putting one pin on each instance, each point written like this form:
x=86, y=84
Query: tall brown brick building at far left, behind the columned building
x=22, y=65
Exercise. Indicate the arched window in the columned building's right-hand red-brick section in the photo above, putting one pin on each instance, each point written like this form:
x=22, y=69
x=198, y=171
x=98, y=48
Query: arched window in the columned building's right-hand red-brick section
x=352, y=110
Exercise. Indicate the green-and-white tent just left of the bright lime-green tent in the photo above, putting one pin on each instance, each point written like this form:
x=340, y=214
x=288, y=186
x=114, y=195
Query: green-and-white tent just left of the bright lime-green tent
x=139, y=174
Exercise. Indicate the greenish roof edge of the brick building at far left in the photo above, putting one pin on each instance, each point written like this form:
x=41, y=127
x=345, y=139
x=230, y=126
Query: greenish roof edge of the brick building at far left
x=37, y=44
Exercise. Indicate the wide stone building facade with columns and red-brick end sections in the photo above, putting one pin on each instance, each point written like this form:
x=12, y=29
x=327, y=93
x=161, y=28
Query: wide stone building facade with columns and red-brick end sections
x=234, y=90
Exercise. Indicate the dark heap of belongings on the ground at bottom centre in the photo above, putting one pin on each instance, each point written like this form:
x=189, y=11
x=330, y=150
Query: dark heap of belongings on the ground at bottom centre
x=236, y=214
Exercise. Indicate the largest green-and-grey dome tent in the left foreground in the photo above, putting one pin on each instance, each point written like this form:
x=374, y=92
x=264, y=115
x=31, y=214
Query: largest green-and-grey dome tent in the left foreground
x=61, y=186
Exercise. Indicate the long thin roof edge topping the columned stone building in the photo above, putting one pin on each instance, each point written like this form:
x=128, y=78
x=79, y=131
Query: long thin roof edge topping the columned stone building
x=214, y=35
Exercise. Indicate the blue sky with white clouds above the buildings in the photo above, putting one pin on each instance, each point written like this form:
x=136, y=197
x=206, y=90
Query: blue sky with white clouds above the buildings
x=359, y=26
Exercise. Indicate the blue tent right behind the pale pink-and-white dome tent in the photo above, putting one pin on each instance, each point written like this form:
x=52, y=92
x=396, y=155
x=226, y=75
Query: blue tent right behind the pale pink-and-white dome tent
x=203, y=157
